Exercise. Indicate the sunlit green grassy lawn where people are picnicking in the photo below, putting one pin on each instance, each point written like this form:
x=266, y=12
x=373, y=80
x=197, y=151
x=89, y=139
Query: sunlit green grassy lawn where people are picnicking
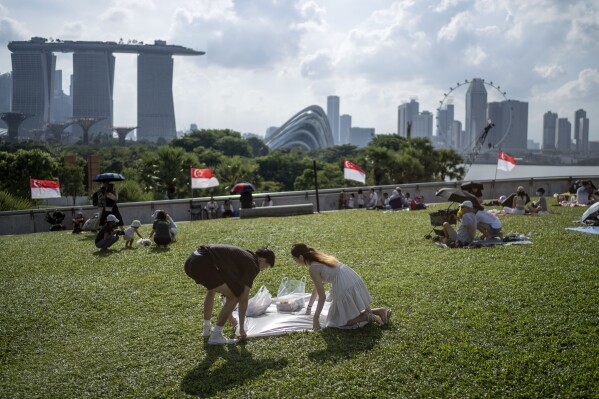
x=506, y=321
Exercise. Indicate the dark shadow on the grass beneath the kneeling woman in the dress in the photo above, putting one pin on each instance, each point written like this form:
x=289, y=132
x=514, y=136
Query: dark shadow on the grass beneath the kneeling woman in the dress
x=344, y=344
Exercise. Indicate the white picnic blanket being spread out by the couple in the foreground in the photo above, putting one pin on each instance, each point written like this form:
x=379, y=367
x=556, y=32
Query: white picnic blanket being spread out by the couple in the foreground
x=274, y=322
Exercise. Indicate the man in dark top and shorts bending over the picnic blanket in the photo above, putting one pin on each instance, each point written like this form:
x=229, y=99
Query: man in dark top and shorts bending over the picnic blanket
x=230, y=271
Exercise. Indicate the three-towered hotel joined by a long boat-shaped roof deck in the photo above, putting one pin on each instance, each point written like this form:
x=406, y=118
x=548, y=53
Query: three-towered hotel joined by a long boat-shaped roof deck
x=33, y=80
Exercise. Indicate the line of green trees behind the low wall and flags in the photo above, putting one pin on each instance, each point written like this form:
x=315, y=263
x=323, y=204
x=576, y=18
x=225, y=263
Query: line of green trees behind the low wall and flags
x=156, y=171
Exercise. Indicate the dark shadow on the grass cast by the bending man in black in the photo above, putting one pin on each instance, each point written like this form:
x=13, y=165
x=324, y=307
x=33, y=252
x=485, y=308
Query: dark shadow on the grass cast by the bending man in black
x=225, y=367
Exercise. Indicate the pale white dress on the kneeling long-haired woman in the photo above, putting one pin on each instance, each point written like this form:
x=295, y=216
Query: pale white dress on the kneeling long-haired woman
x=348, y=293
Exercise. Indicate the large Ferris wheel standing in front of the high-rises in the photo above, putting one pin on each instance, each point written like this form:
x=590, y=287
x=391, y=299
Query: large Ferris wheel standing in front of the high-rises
x=474, y=144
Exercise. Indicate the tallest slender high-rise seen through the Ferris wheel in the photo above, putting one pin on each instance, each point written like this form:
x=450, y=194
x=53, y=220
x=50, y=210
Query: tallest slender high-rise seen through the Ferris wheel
x=476, y=111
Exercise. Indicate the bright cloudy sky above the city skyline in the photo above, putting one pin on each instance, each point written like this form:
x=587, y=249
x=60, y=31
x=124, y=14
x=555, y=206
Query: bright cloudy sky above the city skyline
x=268, y=59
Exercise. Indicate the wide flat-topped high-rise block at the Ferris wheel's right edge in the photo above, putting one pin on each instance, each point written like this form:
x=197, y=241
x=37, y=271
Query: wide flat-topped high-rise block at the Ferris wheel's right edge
x=510, y=117
